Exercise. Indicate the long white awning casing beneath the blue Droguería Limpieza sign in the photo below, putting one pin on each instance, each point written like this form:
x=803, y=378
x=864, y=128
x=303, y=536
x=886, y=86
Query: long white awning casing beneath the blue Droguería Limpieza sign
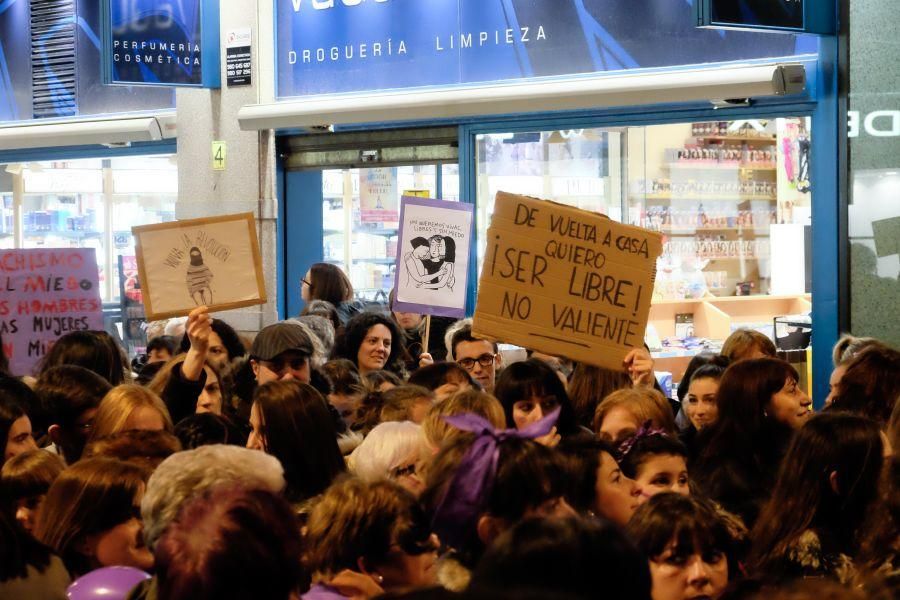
x=688, y=85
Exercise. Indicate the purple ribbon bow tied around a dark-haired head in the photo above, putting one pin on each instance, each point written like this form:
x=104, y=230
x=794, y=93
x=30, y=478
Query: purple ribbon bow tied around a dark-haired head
x=474, y=479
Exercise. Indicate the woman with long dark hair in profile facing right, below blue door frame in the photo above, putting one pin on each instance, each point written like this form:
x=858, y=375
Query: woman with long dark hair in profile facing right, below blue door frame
x=760, y=405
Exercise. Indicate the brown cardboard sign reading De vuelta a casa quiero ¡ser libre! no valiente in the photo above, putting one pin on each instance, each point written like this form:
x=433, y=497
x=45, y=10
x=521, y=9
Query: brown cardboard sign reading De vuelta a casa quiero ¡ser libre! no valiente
x=565, y=281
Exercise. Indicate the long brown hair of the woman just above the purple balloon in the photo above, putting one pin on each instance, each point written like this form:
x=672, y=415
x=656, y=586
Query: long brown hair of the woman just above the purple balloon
x=92, y=496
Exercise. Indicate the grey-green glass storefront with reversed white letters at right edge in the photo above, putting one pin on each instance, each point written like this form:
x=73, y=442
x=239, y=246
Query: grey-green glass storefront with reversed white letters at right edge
x=874, y=153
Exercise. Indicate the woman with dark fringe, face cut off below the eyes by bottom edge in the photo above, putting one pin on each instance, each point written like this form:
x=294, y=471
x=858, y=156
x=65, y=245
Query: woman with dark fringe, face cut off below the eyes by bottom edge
x=690, y=549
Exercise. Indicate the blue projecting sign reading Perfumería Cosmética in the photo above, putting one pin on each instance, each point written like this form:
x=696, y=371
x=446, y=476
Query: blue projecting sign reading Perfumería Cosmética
x=171, y=43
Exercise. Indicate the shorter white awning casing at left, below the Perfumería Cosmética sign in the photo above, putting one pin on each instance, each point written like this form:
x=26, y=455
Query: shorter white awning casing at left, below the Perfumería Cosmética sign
x=120, y=131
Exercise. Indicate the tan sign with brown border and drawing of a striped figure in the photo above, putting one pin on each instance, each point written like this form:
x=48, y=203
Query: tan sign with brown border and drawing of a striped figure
x=213, y=261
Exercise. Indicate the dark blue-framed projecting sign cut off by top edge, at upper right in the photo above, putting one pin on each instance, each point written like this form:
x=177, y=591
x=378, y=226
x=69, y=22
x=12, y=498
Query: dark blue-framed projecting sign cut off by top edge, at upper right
x=807, y=16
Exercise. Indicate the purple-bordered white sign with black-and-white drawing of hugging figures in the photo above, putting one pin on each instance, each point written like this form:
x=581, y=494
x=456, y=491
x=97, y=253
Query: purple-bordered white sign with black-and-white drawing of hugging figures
x=432, y=257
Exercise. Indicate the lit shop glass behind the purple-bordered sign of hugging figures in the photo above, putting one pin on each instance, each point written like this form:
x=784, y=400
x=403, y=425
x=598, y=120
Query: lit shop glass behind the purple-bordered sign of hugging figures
x=366, y=203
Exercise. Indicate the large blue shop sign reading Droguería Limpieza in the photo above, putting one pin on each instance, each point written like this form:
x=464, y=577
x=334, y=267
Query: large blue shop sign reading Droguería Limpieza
x=336, y=46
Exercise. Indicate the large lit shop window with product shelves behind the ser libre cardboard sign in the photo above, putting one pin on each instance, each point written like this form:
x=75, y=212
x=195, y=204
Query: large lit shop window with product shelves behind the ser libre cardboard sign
x=728, y=197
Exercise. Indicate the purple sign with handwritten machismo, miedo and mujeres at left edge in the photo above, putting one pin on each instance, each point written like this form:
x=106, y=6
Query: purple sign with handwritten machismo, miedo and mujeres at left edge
x=47, y=292
